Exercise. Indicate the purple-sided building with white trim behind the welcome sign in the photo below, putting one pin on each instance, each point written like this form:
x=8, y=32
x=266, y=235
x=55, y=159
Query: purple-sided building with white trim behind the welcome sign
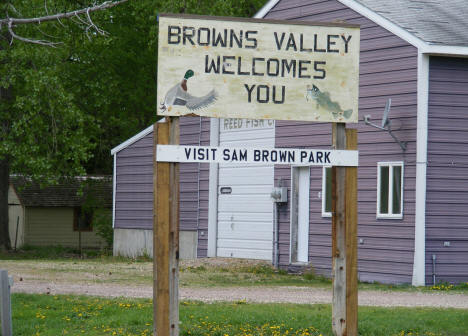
x=412, y=200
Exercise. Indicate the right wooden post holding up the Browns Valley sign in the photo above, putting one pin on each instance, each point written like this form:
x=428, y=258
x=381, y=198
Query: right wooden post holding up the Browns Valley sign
x=344, y=237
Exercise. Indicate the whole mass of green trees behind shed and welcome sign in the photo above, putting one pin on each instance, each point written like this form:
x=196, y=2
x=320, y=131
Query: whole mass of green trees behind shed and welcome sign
x=89, y=86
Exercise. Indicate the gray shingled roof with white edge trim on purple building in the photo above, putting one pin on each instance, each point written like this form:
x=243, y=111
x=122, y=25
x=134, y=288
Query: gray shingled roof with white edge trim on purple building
x=433, y=26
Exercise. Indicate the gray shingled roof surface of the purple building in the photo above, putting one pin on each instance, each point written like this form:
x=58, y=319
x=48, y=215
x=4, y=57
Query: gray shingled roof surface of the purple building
x=438, y=22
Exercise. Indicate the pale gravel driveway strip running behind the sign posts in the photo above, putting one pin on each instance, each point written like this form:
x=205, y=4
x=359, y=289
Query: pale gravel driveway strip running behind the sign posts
x=252, y=294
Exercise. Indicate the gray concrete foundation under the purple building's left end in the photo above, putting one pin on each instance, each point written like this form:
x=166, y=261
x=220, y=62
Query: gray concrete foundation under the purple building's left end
x=133, y=243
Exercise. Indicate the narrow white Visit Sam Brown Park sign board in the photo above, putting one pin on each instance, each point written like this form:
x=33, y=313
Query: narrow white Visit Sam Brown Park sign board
x=294, y=156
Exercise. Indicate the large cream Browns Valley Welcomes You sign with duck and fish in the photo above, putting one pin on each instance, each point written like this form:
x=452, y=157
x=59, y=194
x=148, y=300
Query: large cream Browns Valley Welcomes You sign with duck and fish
x=257, y=69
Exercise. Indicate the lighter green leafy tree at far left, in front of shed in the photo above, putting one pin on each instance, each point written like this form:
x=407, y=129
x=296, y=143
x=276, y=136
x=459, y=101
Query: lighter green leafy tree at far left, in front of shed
x=44, y=133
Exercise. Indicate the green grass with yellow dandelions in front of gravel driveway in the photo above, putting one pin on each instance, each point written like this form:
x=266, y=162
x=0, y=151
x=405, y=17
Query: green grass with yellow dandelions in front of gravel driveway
x=74, y=315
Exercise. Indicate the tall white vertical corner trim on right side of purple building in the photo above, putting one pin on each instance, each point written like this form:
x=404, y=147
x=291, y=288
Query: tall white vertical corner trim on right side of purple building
x=419, y=267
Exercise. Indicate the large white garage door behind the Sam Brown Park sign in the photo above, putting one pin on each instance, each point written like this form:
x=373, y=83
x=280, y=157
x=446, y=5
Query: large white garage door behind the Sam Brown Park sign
x=245, y=210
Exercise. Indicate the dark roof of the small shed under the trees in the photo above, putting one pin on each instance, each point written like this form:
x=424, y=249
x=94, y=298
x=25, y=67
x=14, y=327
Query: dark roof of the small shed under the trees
x=64, y=194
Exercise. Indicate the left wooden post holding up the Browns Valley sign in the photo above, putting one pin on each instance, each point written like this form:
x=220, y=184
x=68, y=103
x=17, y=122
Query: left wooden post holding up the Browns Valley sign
x=166, y=233
